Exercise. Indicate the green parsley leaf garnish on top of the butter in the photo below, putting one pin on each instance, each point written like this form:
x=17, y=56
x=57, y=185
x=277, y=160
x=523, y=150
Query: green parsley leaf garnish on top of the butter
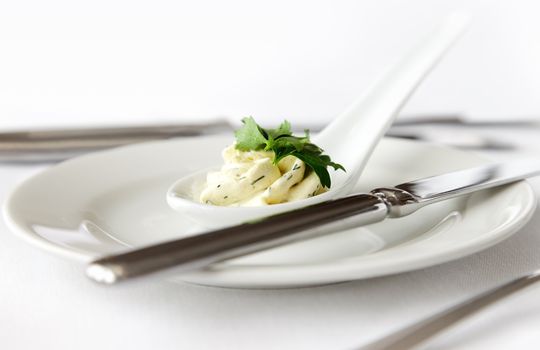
x=252, y=137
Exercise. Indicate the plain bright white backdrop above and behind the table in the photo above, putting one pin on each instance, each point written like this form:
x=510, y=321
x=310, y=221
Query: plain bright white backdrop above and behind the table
x=69, y=62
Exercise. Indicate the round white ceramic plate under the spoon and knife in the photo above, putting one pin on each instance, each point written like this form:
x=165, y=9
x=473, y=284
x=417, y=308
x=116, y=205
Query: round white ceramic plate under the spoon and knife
x=102, y=202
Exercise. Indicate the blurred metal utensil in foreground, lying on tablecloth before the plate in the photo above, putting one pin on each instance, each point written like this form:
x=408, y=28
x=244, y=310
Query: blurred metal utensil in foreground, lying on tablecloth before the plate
x=421, y=331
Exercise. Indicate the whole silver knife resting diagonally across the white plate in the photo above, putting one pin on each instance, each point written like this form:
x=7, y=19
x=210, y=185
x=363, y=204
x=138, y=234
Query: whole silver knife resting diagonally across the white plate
x=186, y=254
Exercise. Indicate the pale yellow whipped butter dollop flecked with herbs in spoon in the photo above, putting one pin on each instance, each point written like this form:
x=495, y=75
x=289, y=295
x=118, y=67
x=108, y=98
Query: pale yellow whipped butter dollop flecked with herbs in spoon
x=249, y=178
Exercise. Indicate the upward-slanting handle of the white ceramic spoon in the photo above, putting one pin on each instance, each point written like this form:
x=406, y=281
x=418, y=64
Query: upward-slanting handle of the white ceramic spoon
x=364, y=123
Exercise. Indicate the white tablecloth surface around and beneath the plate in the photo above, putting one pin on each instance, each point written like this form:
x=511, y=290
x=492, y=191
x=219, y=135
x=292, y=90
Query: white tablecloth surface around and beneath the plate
x=47, y=301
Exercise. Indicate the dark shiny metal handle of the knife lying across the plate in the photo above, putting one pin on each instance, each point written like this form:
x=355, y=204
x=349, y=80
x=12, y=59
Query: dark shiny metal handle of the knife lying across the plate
x=201, y=250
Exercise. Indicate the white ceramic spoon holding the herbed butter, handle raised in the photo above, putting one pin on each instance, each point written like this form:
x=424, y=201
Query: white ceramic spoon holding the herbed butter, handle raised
x=349, y=139
